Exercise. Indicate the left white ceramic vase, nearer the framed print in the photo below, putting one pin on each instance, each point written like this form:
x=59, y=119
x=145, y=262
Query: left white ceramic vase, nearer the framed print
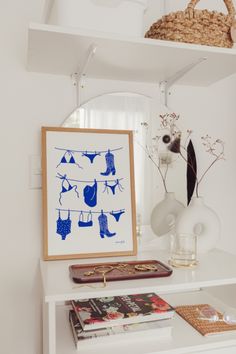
x=164, y=214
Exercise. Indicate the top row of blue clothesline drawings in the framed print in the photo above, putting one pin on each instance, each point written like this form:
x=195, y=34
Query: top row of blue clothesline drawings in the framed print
x=68, y=158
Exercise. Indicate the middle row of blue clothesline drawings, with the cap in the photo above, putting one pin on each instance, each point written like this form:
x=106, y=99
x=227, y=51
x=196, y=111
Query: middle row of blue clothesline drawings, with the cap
x=89, y=192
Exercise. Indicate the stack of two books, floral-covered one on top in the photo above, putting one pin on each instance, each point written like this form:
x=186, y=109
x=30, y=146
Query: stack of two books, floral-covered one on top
x=123, y=318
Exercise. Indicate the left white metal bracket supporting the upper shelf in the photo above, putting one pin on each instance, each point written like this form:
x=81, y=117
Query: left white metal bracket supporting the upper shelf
x=80, y=73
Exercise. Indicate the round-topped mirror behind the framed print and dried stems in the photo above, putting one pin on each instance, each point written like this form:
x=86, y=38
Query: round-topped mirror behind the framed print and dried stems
x=131, y=111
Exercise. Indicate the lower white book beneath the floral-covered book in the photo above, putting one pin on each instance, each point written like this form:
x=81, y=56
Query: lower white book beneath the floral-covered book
x=137, y=331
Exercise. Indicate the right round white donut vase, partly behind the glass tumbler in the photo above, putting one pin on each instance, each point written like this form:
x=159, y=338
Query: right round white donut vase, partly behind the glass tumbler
x=197, y=218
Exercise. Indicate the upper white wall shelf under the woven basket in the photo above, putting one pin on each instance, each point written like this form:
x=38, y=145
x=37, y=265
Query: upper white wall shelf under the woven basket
x=58, y=50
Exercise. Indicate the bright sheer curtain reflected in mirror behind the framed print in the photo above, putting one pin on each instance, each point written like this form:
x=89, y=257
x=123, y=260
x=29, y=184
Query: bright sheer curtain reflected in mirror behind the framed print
x=123, y=111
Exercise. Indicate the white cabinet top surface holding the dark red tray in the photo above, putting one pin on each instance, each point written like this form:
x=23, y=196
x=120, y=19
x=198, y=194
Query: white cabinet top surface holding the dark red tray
x=59, y=287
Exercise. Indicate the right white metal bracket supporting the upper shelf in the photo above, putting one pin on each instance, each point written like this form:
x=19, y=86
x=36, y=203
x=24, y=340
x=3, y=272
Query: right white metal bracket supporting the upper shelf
x=165, y=85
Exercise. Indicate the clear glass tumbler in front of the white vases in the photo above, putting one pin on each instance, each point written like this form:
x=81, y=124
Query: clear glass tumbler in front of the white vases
x=183, y=251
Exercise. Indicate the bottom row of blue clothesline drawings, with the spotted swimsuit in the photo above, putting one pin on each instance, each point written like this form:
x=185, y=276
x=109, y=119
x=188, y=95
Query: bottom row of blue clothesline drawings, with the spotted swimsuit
x=63, y=226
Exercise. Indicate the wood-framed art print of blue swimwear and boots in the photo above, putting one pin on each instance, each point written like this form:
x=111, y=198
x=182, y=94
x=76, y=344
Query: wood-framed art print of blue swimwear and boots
x=88, y=193
